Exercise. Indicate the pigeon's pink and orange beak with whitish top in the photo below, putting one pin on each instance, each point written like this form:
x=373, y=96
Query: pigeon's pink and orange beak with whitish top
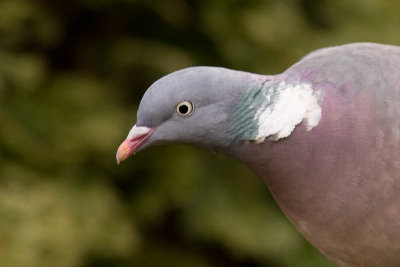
x=137, y=137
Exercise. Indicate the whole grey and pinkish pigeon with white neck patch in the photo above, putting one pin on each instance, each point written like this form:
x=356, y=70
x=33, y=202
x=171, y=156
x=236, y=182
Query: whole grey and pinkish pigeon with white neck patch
x=324, y=136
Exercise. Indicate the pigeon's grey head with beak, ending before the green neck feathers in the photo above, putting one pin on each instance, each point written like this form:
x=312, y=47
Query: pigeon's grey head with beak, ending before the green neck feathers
x=190, y=106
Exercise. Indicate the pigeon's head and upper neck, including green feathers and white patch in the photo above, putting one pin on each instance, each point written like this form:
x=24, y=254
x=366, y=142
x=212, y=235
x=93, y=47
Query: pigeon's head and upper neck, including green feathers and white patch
x=216, y=108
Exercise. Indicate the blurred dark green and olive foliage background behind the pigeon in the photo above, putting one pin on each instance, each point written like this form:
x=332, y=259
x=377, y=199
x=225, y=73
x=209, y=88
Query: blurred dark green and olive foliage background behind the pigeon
x=71, y=76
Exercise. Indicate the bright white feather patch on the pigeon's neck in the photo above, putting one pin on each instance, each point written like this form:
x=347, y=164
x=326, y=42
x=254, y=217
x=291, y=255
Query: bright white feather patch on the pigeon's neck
x=294, y=104
